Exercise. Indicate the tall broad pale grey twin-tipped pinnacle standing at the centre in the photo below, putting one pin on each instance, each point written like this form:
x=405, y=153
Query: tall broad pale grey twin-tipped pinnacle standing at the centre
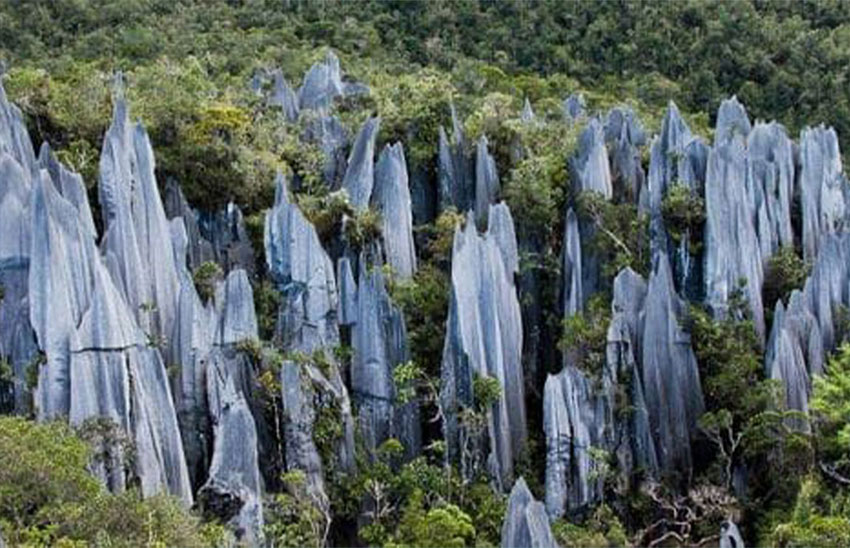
x=484, y=337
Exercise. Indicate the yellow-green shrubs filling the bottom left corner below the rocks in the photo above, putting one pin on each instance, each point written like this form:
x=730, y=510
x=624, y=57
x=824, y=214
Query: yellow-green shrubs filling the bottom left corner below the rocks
x=48, y=497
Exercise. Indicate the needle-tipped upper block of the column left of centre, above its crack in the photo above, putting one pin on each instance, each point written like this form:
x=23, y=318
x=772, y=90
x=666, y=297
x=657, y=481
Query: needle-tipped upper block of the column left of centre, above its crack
x=304, y=274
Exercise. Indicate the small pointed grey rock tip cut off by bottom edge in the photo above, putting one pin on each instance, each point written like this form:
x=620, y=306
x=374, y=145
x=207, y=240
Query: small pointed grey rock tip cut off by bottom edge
x=526, y=524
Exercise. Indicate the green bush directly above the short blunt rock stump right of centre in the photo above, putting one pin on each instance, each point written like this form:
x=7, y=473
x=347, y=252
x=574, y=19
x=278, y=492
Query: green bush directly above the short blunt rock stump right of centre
x=584, y=336
